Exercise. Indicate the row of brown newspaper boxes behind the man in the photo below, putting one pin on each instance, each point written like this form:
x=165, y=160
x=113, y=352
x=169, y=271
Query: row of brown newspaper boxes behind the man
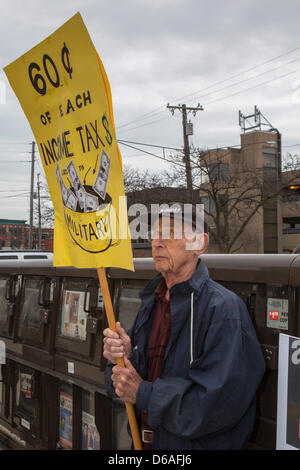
x=52, y=391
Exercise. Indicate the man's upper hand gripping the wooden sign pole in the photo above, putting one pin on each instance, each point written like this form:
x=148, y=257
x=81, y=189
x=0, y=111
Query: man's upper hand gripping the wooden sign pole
x=116, y=344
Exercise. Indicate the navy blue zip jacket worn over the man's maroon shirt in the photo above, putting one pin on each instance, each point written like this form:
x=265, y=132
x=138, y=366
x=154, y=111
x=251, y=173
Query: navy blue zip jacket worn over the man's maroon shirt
x=213, y=366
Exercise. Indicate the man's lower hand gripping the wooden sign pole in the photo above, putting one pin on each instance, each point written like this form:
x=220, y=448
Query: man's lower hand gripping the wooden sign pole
x=126, y=381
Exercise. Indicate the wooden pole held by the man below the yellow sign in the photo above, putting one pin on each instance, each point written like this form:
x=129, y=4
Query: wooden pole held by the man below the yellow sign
x=120, y=361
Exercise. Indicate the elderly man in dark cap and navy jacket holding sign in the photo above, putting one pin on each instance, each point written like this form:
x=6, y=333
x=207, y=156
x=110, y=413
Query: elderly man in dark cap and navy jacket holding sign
x=192, y=360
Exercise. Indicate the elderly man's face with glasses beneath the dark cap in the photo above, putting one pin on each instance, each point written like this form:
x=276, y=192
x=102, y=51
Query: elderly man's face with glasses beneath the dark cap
x=170, y=253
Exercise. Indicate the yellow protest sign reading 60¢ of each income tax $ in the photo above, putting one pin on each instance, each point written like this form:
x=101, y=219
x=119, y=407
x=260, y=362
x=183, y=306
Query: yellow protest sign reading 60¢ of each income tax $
x=65, y=94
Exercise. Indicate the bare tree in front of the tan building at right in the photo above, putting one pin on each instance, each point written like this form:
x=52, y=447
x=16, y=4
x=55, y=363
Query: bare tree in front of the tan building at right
x=232, y=195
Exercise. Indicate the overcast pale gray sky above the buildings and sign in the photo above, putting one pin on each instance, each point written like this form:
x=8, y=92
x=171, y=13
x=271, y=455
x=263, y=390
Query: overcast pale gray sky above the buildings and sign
x=224, y=55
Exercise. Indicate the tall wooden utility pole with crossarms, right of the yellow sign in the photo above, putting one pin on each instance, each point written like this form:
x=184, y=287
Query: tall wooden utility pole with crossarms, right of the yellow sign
x=187, y=130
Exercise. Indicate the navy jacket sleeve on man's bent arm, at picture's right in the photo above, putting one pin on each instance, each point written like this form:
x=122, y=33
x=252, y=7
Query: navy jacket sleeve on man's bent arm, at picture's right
x=220, y=386
